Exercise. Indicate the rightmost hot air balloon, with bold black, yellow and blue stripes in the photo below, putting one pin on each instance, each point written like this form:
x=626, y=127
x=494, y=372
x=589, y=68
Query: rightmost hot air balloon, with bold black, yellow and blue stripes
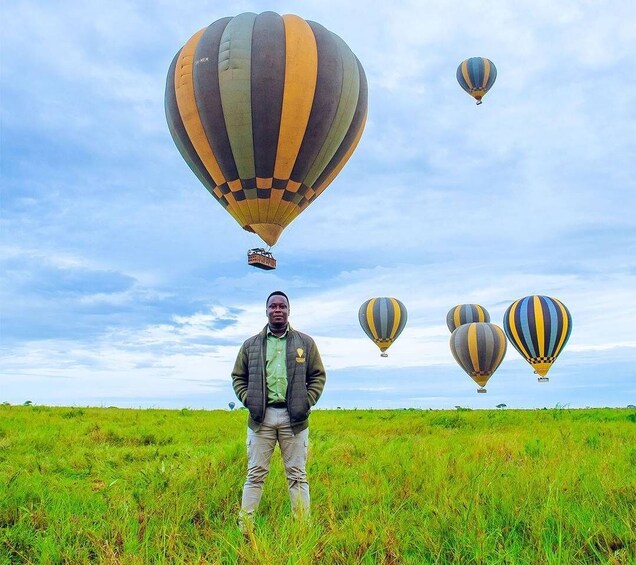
x=538, y=327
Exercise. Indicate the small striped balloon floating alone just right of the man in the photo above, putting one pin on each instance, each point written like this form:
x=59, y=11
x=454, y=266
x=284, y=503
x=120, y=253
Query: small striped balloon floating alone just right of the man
x=383, y=320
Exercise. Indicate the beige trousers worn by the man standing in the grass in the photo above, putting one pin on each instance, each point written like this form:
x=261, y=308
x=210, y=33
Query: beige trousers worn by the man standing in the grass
x=276, y=427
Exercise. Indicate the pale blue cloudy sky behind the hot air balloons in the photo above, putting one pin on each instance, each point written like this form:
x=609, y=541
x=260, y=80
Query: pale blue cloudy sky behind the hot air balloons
x=124, y=283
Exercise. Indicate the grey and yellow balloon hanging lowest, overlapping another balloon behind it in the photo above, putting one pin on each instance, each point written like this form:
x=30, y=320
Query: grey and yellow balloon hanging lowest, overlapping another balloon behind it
x=479, y=348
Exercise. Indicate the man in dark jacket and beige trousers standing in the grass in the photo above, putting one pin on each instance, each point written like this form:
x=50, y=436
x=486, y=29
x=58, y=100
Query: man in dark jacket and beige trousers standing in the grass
x=278, y=376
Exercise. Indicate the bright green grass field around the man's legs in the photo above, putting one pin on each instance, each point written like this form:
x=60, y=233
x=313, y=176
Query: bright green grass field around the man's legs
x=89, y=485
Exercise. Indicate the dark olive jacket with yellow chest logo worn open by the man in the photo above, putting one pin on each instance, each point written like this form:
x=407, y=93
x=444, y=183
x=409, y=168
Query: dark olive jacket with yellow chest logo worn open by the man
x=306, y=378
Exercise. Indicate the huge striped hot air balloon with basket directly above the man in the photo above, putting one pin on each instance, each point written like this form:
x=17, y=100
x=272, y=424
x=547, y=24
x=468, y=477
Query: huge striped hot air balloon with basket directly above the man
x=266, y=110
